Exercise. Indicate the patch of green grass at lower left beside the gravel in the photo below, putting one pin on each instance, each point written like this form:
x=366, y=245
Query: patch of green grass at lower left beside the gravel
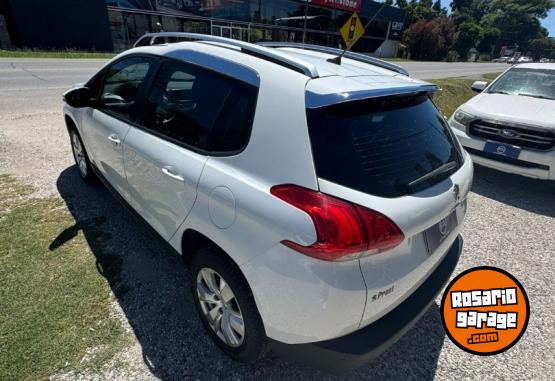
x=54, y=304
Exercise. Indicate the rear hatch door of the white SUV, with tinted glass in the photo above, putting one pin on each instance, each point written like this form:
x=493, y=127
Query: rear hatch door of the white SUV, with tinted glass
x=394, y=154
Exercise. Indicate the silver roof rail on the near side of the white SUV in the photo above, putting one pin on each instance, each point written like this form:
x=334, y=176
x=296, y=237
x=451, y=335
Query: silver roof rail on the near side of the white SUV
x=272, y=55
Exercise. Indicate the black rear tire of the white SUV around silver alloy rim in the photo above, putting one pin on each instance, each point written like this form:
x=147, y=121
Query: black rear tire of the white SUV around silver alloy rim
x=255, y=343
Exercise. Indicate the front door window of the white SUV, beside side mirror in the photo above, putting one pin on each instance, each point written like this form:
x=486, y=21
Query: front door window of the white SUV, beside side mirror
x=122, y=83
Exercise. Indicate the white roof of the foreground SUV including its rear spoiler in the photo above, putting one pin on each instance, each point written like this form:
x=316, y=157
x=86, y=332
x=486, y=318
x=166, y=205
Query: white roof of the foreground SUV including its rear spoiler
x=333, y=83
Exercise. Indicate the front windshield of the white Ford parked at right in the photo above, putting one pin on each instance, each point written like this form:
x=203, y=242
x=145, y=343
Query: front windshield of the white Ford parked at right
x=538, y=83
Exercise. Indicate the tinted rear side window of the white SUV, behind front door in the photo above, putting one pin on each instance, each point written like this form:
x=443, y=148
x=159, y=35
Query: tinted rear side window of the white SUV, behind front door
x=200, y=108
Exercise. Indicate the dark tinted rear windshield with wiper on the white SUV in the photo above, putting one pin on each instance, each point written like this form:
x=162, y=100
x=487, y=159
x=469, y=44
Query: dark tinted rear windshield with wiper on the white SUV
x=388, y=147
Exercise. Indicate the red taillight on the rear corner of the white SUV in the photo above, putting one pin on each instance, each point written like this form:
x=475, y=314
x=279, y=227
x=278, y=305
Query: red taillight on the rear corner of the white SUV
x=344, y=230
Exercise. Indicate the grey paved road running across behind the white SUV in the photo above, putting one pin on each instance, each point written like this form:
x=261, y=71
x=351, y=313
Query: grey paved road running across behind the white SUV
x=18, y=74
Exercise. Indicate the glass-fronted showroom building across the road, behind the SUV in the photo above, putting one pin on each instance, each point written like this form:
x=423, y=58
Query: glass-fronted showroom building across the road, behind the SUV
x=258, y=20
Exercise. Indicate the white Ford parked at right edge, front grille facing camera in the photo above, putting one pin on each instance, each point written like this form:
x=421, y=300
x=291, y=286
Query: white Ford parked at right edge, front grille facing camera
x=510, y=126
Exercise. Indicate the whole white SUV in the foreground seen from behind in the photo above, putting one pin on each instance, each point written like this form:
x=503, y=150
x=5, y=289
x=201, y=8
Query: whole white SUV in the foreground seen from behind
x=318, y=203
